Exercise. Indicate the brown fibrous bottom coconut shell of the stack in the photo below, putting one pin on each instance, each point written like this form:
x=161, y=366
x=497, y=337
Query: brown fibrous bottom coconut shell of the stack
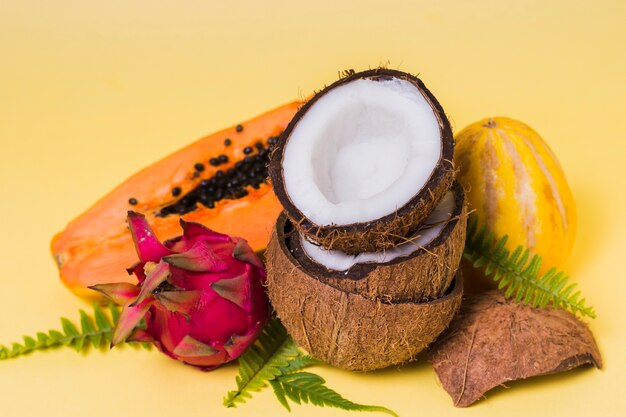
x=349, y=330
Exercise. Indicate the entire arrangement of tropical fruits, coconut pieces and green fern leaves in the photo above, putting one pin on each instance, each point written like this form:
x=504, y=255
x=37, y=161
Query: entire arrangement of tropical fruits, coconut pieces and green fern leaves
x=356, y=205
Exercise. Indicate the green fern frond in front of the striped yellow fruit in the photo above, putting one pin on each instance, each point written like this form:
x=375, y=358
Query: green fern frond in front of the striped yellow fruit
x=518, y=276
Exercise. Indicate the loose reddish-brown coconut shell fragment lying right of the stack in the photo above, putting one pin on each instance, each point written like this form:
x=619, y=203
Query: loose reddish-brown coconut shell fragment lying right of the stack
x=493, y=340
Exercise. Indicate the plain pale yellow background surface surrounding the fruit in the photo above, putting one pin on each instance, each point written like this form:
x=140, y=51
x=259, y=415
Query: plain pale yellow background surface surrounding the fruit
x=92, y=91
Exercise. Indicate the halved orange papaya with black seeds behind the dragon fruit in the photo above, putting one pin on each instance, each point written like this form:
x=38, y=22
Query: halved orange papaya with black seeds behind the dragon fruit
x=97, y=247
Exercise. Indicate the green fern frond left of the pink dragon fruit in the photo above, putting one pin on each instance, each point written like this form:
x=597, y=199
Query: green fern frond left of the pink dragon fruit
x=95, y=332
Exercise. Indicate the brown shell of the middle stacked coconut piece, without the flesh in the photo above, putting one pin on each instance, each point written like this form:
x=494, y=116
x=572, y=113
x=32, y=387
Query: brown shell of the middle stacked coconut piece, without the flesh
x=423, y=275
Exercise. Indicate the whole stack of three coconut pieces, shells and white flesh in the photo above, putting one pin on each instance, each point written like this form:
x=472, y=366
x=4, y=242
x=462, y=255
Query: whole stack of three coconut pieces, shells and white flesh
x=362, y=263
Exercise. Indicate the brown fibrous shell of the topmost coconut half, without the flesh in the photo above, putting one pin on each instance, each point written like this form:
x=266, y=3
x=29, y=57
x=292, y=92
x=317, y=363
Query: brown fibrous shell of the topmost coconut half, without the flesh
x=387, y=231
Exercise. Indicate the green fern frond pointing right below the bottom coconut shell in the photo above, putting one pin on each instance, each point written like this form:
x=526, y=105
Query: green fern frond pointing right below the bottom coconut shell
x=305, y=387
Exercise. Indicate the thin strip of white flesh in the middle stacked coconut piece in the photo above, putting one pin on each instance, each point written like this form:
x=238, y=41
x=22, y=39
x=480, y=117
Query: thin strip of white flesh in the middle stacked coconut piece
x=340, y=261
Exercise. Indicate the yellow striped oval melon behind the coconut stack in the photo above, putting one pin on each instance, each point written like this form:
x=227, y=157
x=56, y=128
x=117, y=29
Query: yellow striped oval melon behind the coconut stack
x=517, y=187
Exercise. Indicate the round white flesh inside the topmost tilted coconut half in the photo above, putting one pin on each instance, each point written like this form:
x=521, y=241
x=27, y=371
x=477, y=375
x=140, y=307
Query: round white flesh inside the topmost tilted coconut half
x=361, y=151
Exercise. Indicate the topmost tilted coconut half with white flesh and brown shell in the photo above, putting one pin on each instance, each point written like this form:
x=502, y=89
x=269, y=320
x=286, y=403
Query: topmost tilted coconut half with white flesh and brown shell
x=364, y=161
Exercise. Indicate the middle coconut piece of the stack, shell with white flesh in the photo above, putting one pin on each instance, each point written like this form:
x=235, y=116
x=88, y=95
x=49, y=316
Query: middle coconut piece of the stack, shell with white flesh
x=421, y=269
